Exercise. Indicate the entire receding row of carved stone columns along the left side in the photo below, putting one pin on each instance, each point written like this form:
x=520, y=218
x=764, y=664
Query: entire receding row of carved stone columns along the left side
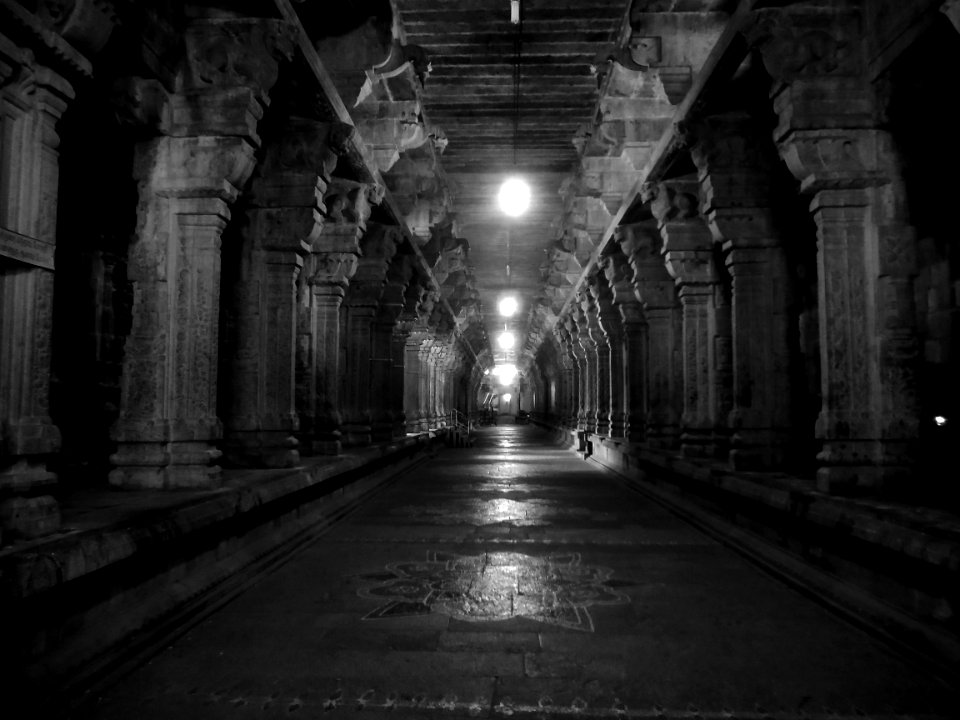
x=333, y=333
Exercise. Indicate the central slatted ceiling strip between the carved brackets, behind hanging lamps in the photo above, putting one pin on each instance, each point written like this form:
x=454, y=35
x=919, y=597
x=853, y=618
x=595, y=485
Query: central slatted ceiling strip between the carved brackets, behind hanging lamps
x=470, y=95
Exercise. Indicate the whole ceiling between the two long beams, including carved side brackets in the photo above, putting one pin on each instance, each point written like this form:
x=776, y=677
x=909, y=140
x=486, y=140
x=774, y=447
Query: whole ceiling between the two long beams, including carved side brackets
x=599, y=82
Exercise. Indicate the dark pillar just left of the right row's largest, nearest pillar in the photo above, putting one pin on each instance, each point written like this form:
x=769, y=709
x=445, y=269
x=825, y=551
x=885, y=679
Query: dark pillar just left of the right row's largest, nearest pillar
x=735, y=171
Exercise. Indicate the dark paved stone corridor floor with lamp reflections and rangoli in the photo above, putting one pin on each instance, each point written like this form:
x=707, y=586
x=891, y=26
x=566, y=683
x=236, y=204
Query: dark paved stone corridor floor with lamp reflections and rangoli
x=512, y=578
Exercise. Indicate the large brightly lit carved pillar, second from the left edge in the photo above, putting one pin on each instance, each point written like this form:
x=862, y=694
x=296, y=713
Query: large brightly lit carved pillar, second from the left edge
x=188, y=177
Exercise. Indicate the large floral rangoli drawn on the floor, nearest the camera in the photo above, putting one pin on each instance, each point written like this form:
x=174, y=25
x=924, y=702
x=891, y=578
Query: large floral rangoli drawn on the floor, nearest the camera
x=556, y=588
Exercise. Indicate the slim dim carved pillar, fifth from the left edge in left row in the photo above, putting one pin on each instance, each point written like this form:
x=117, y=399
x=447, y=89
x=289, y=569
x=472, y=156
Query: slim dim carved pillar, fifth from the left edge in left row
x=378, y=246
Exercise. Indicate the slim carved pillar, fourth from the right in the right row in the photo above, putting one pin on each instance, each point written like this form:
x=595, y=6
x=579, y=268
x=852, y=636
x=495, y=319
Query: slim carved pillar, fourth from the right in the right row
x=661, y=317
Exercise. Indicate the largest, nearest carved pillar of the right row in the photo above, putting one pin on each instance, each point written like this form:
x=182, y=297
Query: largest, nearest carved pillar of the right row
x=827, y=136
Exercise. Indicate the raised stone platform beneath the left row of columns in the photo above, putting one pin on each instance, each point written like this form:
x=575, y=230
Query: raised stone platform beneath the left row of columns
x=128, y=566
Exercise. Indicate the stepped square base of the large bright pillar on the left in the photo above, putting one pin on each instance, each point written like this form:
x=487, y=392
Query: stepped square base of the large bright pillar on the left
x=165, y=466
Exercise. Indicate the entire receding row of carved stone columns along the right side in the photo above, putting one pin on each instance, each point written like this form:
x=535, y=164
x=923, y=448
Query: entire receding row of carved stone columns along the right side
x=681, y=336
